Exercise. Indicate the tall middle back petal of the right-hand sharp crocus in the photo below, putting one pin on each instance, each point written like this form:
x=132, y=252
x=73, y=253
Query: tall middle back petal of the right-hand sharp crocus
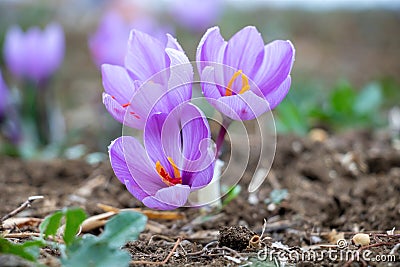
x=245, y=51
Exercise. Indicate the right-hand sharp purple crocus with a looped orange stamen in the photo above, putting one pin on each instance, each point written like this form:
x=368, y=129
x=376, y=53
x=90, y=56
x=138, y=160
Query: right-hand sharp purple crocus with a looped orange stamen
x=242, y=78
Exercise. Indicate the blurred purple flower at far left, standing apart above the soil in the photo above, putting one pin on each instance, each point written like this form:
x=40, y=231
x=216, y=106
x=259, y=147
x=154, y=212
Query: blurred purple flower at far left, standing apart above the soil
x=36, y=54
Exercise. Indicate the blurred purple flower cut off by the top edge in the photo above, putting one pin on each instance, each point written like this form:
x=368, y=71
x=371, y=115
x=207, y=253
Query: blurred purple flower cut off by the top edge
x=196, y=15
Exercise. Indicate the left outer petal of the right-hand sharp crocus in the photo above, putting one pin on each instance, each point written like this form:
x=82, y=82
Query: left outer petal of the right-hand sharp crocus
x=211, y=48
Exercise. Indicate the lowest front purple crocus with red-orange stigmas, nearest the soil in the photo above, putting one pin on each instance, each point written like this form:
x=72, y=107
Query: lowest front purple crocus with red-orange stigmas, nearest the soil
x=176, y=160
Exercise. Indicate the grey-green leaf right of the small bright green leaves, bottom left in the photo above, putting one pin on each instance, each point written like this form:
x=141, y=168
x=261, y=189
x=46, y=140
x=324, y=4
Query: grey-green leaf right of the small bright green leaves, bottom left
x=125, y=226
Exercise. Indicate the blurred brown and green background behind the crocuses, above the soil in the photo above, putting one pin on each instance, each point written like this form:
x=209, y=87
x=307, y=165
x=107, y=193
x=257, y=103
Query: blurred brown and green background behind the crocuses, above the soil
x=346, y=73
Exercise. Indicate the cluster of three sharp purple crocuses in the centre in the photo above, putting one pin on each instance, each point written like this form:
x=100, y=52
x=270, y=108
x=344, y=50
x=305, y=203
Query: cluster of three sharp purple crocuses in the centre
x=242, y=78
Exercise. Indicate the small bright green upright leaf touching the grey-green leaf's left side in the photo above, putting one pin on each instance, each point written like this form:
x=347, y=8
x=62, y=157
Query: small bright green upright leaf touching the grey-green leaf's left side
x=74, y=218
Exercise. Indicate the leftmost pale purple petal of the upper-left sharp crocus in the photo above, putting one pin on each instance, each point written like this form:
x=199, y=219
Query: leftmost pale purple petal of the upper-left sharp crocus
x=117, y=82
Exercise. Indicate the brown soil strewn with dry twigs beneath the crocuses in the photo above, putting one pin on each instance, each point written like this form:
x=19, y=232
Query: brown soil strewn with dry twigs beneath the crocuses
x=337, y=187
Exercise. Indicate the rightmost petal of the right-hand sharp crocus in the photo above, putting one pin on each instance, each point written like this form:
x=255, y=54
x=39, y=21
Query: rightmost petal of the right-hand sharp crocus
x=276, y=65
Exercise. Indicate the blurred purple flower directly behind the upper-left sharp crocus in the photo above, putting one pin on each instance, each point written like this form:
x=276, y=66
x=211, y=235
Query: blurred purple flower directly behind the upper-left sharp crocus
x=109, y=43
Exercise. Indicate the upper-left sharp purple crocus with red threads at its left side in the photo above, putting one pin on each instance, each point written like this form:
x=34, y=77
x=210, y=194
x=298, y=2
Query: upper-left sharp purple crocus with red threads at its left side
x=156, y=78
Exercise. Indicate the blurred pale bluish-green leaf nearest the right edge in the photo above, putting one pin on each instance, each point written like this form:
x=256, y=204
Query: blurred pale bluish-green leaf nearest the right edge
x=369, y=100
